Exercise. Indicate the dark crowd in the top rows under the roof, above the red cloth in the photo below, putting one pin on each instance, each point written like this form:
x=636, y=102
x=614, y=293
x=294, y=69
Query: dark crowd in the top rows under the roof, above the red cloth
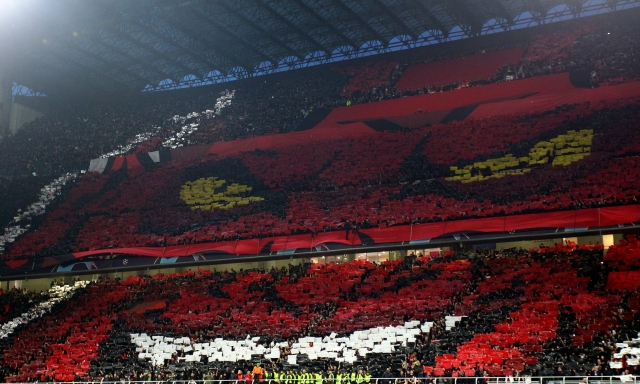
x=65, y=140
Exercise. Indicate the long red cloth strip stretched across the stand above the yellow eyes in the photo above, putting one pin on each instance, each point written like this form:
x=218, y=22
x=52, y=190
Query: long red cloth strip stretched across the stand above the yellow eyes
x=549, y=92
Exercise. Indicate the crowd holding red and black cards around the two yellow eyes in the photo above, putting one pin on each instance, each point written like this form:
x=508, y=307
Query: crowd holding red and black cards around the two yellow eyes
x=346, y=187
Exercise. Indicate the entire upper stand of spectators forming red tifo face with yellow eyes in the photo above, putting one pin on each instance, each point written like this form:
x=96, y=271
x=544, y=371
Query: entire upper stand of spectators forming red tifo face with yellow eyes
x=290, y=158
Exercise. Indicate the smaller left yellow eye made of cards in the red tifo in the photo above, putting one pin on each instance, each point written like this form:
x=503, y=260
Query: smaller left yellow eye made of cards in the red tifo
x=212, y=193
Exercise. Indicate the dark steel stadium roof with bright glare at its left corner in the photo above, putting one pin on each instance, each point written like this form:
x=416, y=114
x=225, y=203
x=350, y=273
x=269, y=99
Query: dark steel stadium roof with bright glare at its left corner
x=124, y=45
